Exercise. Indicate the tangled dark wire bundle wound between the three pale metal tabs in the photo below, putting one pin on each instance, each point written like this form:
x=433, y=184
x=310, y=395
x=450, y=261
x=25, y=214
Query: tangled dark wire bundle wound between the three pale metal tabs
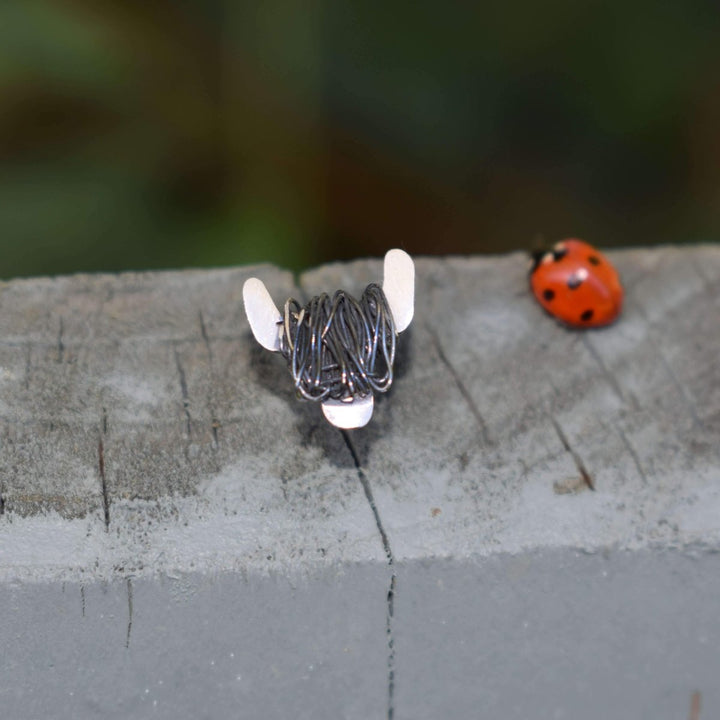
x=340, y=347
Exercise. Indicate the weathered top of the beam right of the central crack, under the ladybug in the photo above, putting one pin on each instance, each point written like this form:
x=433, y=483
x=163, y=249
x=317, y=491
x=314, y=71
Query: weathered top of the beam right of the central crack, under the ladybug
x=499, y=411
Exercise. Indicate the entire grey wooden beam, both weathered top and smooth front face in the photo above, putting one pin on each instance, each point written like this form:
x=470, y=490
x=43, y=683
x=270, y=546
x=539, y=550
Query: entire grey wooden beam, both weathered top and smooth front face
x=529, y=526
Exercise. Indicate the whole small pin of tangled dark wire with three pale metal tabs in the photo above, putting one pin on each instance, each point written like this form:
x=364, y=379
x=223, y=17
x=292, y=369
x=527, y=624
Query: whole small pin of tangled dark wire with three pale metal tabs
x=340, y=351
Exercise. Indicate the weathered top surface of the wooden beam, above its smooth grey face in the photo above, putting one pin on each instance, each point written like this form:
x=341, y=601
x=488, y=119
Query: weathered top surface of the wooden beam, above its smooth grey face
x=144, y=430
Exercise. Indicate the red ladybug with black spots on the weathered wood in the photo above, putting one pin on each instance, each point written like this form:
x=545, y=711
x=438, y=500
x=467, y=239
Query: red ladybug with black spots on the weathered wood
x=577, y=284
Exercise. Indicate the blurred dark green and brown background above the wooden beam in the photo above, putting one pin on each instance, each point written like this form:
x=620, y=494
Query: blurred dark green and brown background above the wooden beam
x=210, y=132
